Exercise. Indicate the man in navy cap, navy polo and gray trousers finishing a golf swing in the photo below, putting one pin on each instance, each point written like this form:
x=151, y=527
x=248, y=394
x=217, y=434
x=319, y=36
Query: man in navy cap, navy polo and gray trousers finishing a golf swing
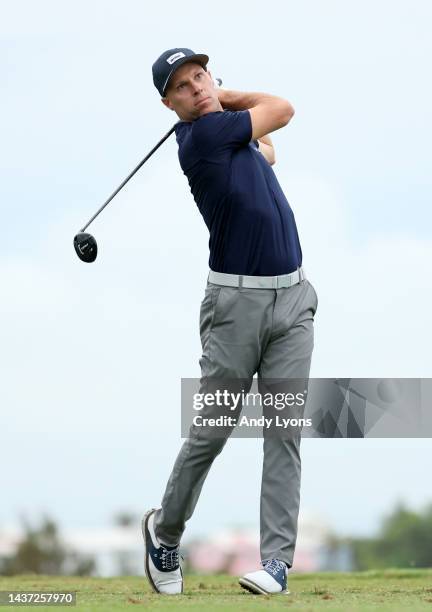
x=258, y=310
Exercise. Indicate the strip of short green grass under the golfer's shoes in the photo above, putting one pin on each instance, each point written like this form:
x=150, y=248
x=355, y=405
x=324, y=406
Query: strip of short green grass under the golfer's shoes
x=366, y=591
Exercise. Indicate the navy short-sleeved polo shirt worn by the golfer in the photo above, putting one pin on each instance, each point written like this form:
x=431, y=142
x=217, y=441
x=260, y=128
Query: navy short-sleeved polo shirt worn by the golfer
x=251, y=224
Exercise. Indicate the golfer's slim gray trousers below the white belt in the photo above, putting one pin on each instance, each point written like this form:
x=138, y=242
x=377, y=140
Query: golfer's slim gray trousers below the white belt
x=243, y=332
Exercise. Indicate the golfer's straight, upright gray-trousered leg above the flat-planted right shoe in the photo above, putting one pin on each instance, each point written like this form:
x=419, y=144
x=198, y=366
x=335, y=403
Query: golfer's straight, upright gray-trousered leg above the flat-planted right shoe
x=287, y=355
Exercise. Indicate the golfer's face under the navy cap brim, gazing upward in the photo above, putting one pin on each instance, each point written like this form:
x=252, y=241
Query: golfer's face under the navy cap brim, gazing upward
x=191, y=92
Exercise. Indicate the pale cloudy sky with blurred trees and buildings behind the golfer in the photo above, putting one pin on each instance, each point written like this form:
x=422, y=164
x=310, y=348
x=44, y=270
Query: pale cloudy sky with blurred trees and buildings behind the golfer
x=91, y=356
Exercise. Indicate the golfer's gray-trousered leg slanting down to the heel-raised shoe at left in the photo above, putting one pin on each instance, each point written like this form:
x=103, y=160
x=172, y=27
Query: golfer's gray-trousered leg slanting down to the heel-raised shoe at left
x=230, y=324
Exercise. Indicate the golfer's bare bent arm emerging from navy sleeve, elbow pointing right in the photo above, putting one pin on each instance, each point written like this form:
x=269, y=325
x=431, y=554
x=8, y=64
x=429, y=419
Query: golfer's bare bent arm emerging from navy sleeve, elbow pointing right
x=268, y=113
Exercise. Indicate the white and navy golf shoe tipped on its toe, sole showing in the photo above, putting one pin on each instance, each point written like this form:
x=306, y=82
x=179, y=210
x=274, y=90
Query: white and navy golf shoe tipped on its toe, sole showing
x=161, y=563
